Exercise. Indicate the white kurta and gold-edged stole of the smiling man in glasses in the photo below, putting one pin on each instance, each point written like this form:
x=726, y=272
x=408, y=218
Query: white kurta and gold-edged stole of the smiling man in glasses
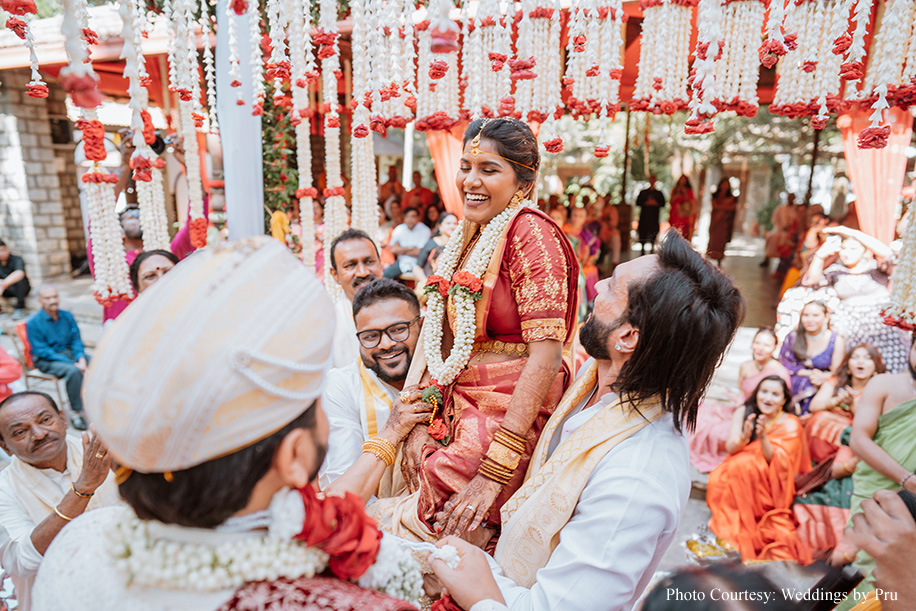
x=351, y=420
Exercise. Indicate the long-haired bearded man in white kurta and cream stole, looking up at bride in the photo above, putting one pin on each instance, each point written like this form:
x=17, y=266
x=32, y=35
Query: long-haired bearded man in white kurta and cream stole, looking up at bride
x=608, y=482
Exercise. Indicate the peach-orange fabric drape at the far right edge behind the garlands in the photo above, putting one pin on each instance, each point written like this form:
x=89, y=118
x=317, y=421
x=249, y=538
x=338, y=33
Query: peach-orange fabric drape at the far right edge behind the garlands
x=877, y=174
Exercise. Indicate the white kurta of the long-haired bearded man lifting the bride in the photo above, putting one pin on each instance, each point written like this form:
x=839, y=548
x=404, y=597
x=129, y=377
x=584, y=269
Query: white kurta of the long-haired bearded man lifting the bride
x=625, y=520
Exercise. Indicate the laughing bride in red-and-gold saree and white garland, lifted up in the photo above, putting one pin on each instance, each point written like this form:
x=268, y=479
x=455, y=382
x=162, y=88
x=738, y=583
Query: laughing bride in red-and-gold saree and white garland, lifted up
x=502, y=311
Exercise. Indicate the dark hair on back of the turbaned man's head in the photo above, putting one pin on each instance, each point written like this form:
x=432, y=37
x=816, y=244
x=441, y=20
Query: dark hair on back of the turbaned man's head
x=206, y=495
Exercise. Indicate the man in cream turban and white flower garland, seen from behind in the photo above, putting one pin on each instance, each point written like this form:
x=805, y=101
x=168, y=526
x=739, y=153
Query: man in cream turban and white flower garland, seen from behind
x=206, y=392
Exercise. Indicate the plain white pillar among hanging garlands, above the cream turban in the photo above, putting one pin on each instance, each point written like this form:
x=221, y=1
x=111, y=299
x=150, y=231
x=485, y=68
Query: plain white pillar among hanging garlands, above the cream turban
x=240, y=134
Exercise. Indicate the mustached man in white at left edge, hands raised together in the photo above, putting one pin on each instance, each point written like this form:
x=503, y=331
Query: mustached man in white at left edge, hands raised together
x=51, y=479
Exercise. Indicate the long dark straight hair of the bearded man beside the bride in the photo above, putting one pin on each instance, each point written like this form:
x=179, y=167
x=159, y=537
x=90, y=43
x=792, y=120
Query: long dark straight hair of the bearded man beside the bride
x=687, y=313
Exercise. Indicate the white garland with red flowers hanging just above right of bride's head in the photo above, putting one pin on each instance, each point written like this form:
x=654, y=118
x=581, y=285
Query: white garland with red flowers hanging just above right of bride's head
x=536, y=68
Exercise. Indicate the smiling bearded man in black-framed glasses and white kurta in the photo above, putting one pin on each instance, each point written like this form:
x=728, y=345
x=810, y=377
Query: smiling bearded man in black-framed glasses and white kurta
x=363, y=399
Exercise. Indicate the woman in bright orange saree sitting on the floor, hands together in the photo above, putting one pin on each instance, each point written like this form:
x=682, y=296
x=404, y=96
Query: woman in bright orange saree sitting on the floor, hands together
x=751, y=493
